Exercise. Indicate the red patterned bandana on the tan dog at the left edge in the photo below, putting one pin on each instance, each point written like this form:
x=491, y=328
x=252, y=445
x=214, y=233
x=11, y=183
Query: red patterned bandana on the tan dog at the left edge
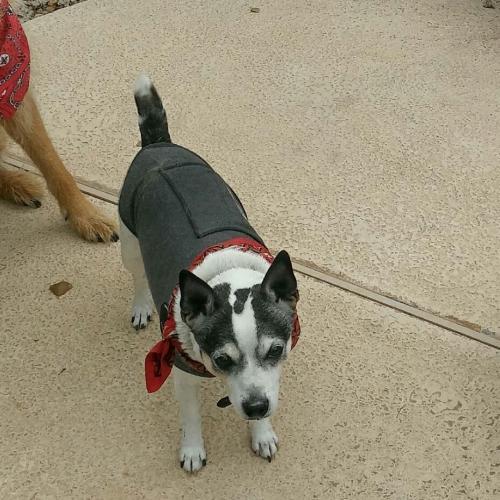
x=14, y=61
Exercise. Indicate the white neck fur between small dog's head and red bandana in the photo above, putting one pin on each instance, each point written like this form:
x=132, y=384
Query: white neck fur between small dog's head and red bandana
x=209, y=270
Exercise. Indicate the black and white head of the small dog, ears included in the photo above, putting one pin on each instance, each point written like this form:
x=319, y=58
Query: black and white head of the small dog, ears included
x=241, y=325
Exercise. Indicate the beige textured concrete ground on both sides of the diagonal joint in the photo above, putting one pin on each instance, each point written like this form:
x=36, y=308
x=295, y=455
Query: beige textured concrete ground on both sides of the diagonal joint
x=362, y=137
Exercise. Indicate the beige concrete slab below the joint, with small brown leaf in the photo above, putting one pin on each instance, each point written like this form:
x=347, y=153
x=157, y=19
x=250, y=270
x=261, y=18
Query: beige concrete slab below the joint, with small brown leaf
x=374, y=404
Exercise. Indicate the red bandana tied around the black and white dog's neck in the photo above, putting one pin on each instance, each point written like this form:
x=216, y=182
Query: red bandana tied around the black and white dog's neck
x=160, y=359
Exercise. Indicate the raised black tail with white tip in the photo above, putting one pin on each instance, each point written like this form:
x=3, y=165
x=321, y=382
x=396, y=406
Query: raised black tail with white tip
x=152, y=116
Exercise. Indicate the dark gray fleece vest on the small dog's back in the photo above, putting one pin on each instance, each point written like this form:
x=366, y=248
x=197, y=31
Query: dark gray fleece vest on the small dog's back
x=177, y=206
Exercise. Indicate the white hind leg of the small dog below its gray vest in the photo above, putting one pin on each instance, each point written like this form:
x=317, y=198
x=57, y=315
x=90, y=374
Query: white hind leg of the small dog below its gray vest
x=142, y=307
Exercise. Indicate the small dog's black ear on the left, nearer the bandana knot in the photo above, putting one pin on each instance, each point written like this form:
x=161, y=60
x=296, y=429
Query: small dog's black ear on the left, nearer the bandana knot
x=197, y=297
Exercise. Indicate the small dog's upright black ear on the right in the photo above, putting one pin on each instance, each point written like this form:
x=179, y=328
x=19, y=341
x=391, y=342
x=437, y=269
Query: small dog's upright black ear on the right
x=279, y=283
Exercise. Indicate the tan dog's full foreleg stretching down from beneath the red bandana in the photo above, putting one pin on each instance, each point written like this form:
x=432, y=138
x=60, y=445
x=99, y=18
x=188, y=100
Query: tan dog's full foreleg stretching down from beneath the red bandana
x=27, y=129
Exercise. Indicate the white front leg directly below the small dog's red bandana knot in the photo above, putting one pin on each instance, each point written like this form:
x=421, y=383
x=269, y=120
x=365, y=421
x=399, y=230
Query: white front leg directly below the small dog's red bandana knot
x=192, y=453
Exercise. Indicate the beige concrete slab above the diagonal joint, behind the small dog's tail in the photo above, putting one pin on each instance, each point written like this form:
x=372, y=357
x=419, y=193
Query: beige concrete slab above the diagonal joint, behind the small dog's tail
x=360, y=135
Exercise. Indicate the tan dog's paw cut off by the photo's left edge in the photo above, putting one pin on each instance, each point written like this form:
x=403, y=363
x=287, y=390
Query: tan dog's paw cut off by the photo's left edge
x=20, y=188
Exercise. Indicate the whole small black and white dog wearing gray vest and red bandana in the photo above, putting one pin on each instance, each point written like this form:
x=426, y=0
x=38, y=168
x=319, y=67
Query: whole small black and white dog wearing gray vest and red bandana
x=227, y=308
